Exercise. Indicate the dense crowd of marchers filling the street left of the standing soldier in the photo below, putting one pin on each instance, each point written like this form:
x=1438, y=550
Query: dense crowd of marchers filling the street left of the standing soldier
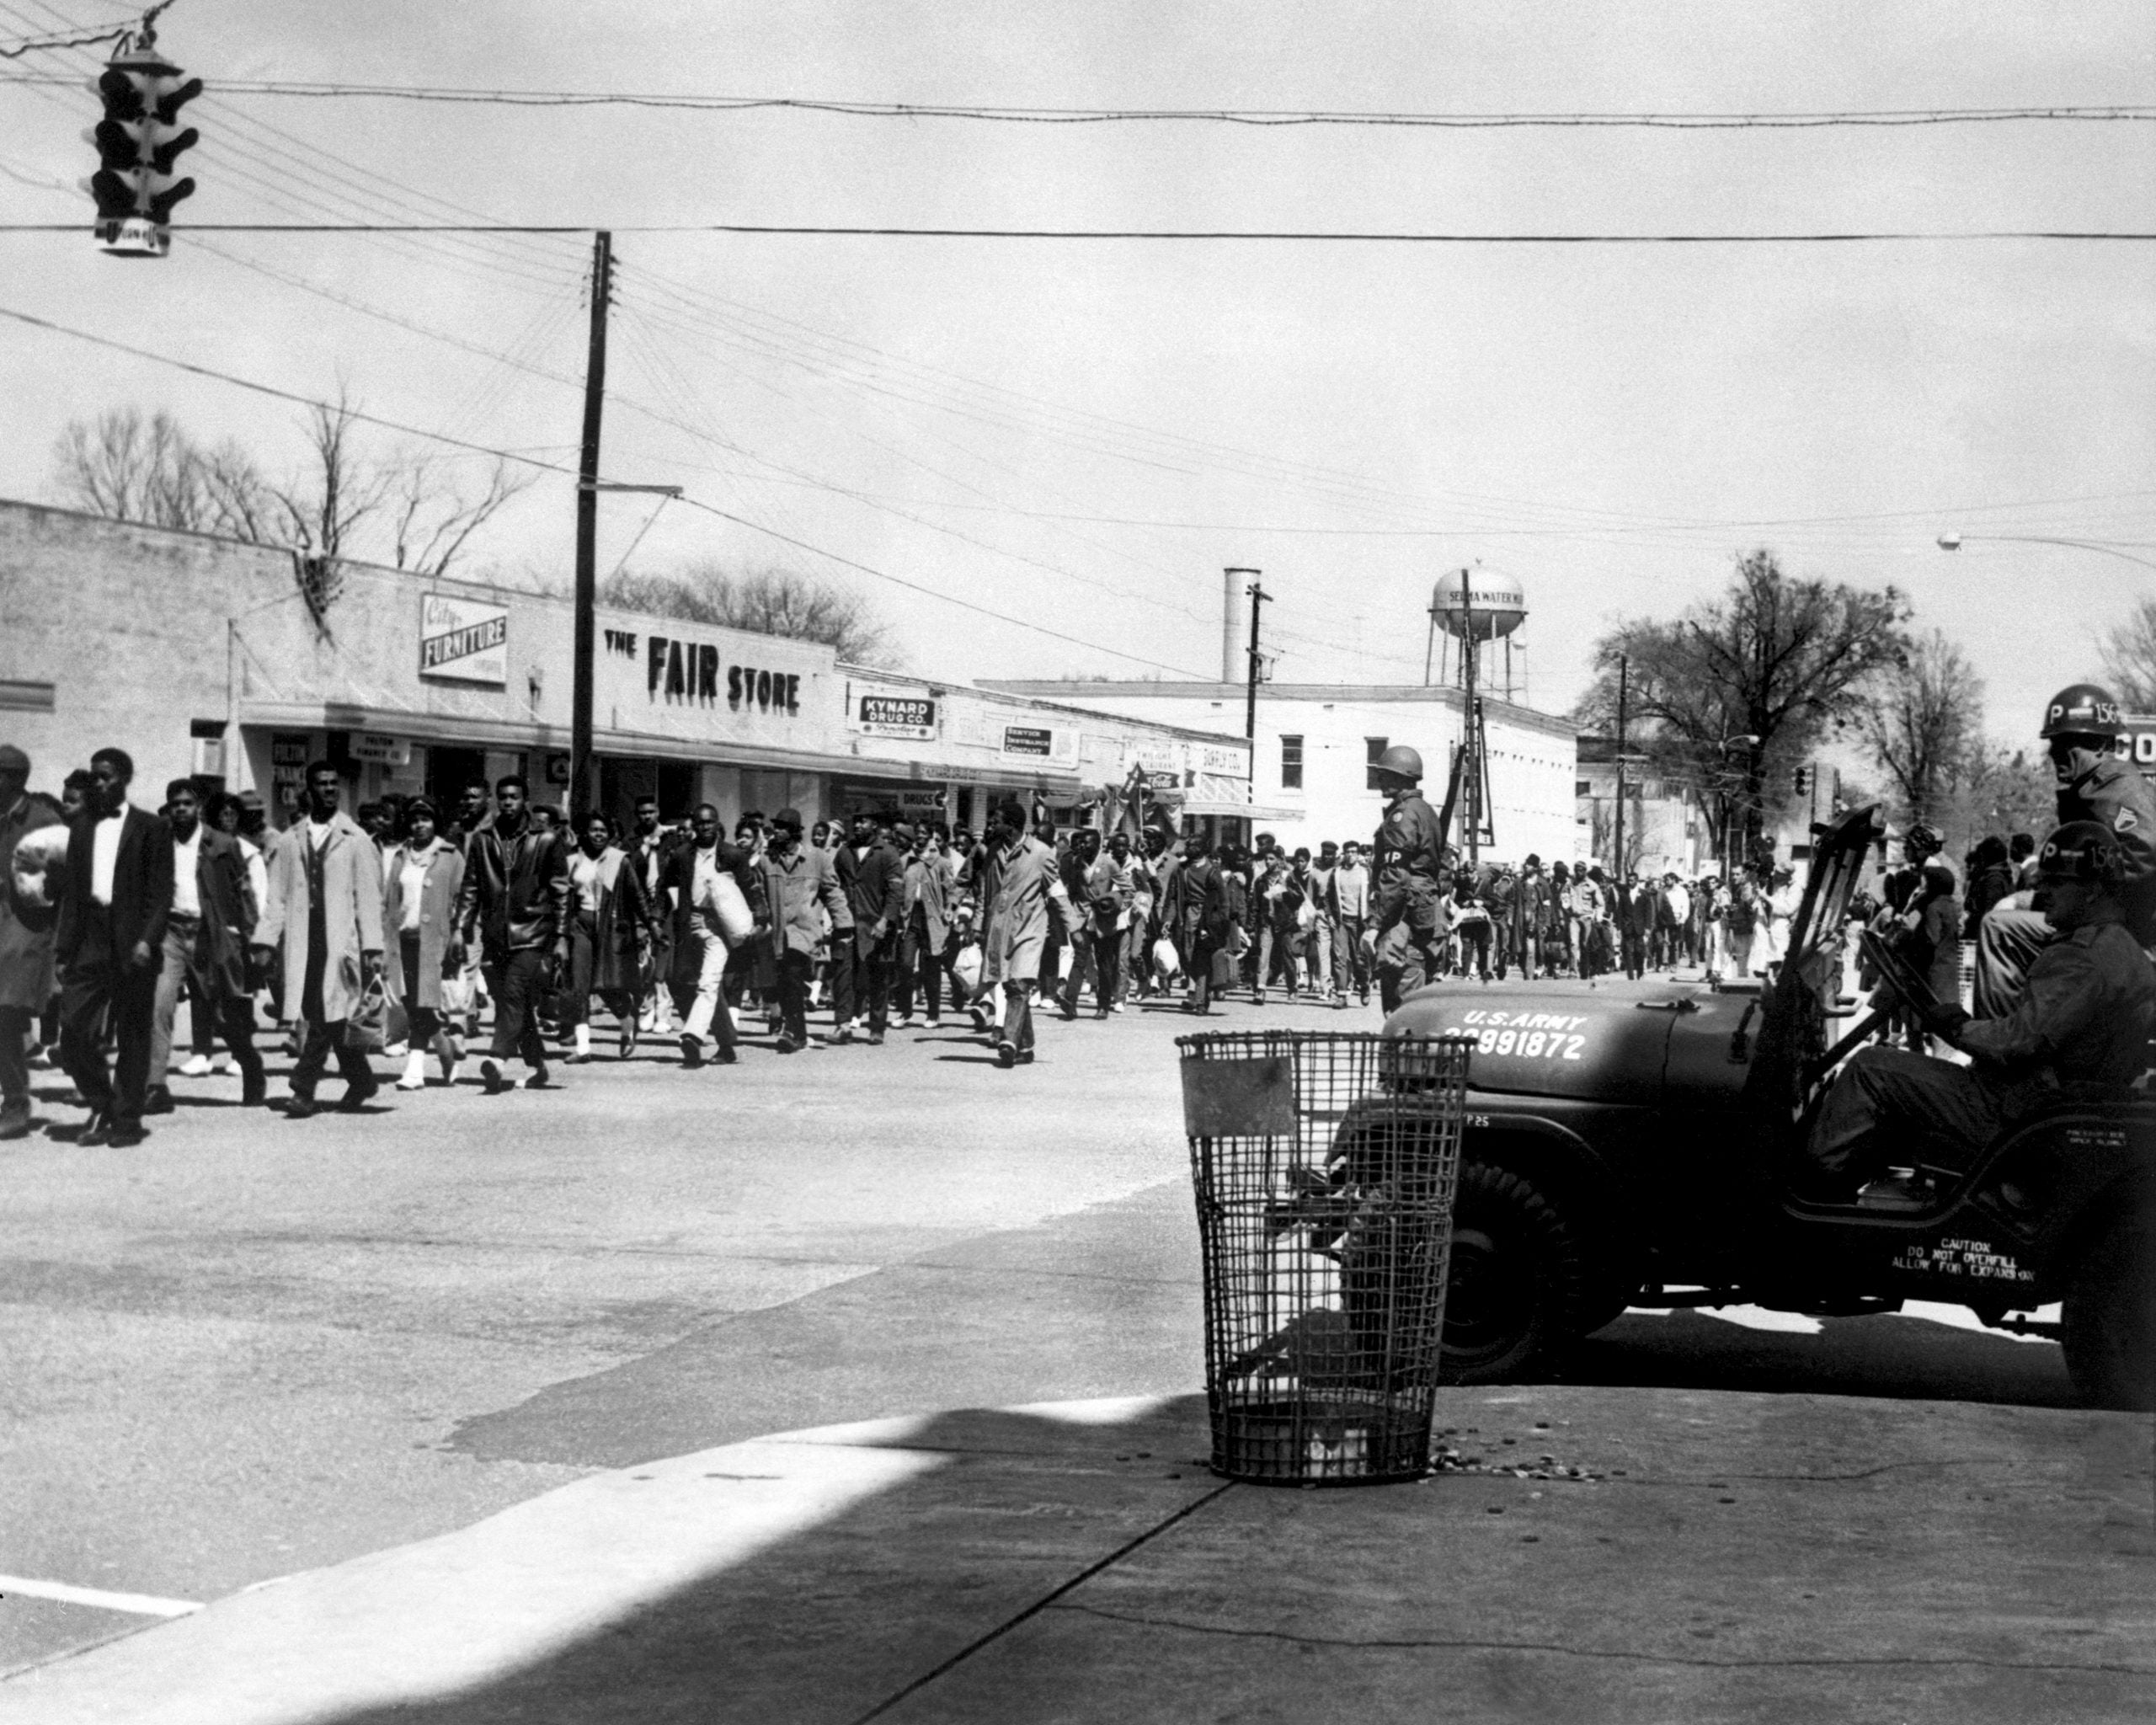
x=400, y=928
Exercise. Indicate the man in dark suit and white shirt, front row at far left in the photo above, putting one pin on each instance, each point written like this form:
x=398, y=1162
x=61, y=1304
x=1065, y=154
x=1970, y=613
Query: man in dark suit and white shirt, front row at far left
x=113, y=920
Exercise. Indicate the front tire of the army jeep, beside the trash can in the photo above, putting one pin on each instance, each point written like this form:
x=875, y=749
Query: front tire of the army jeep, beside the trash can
x=1515, y=1280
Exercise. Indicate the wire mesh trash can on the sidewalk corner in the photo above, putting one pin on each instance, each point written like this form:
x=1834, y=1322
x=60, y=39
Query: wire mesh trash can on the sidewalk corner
x=1325, y=1170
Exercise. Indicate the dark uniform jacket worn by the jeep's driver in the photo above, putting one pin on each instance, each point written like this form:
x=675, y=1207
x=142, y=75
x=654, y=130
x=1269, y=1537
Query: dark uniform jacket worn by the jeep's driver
x=2084, y=1015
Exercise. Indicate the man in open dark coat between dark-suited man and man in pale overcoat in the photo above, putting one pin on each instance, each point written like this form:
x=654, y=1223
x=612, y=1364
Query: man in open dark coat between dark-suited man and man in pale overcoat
x=206, y=946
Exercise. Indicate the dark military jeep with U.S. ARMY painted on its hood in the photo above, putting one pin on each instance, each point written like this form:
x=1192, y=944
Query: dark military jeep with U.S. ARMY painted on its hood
x=1640, y=1137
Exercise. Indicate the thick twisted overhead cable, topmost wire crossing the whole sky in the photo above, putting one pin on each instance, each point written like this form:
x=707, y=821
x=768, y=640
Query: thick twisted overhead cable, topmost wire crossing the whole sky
x=1249, y=118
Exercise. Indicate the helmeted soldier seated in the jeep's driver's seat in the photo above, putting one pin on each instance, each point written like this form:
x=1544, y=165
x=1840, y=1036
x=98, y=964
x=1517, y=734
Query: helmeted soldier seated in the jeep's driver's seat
x=2079, y=1027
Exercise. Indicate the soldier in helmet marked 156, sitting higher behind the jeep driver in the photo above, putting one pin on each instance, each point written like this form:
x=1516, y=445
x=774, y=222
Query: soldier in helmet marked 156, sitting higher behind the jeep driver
x=2082, y=732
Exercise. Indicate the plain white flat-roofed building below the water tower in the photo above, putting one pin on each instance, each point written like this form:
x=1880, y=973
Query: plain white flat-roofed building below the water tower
x=1316, y=743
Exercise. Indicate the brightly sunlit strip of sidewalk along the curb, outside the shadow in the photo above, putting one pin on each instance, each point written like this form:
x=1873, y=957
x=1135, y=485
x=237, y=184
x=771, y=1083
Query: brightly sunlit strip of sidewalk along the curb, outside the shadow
x=443, y=1616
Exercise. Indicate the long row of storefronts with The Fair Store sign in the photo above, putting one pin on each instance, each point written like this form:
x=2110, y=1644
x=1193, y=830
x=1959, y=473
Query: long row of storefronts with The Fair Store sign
x=204, y=659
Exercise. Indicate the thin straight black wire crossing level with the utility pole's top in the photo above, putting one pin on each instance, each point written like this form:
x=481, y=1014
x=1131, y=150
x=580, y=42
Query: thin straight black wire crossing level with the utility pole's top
x=1290, y=236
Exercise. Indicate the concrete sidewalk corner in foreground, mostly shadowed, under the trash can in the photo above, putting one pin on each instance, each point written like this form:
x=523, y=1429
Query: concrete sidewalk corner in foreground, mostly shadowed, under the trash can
x=1737, y=1558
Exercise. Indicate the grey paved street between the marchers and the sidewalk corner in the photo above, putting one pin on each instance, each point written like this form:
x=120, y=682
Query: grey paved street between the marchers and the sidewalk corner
x=255, y=1349
